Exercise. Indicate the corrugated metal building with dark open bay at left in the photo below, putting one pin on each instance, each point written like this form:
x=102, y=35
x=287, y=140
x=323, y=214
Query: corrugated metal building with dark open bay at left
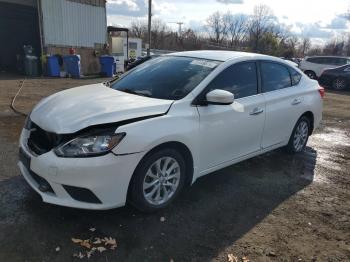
x=53, y=27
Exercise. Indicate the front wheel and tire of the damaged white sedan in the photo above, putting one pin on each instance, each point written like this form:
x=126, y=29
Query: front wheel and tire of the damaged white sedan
x=165, y=181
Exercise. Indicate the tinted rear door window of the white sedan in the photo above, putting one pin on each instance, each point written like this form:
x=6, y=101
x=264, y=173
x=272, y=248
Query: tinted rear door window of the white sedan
x=274, y=76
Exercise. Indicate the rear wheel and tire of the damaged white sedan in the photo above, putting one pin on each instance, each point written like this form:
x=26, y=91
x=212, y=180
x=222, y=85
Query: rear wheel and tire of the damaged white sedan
x=300, y=136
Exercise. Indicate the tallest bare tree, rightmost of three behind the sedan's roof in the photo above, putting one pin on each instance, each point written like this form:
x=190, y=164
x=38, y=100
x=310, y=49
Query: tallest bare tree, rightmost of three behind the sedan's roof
x=261, y=23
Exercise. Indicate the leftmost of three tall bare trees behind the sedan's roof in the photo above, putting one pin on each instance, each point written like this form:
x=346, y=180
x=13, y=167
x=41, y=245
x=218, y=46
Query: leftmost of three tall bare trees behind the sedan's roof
x=217, y=27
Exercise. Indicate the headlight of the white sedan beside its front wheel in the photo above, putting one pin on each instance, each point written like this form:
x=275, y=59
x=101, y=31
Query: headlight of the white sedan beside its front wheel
x=89, y=145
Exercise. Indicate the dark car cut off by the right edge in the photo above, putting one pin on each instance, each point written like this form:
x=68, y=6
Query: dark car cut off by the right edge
x=336, y=78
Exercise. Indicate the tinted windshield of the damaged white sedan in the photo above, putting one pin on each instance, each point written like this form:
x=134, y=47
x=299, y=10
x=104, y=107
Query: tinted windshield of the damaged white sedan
x=167, y=77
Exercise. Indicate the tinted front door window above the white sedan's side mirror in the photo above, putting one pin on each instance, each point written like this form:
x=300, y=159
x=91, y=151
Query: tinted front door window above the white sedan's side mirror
x=239, y=79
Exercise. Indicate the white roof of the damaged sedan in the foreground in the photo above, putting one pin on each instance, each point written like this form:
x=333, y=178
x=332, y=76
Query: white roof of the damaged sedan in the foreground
x=220, y=55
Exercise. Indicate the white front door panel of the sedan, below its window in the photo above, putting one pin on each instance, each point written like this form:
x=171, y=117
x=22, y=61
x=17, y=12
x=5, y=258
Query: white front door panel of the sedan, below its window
x=230, y=131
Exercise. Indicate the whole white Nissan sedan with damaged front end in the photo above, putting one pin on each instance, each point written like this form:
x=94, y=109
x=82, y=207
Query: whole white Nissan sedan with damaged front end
x=143, y=137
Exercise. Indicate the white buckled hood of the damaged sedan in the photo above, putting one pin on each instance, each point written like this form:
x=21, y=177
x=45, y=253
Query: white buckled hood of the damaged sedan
x=74, y=109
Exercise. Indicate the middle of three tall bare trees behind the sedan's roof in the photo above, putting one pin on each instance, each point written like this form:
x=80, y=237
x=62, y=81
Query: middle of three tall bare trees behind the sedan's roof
x=236, y=28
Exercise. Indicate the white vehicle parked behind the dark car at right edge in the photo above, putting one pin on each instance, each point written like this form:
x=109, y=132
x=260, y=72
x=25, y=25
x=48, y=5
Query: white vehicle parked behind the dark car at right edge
x=314, y=66
